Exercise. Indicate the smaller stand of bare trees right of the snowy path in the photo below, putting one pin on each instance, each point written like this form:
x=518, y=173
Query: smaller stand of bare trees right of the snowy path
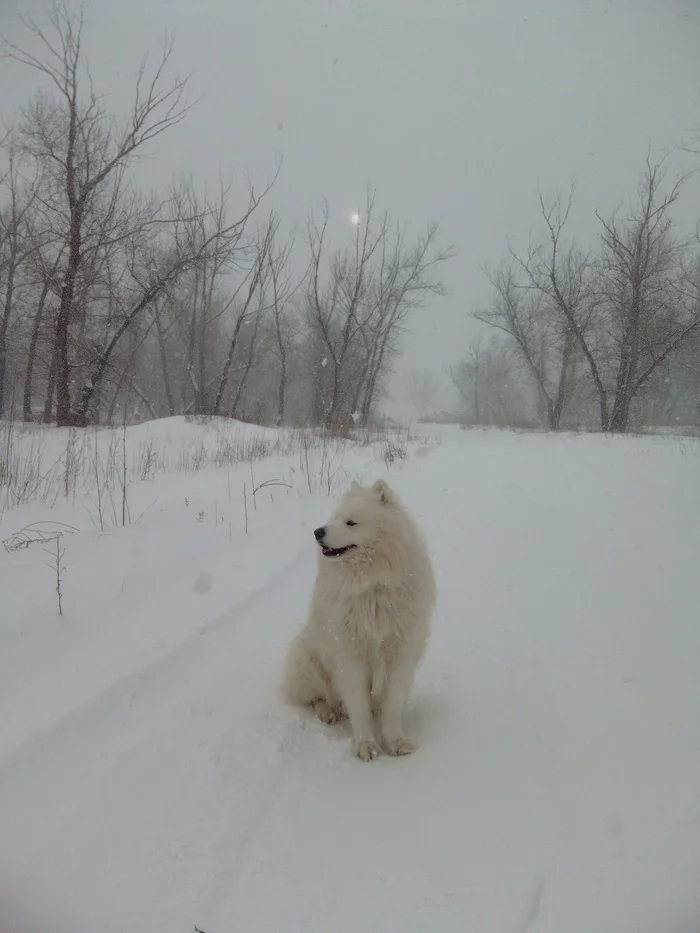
x=606, y=337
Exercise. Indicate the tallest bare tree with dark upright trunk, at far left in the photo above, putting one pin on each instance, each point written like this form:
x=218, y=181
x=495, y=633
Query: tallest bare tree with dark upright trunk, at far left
x=84, y=152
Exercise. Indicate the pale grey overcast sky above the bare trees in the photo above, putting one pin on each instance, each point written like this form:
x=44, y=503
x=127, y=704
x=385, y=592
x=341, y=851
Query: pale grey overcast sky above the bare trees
x=452, y=109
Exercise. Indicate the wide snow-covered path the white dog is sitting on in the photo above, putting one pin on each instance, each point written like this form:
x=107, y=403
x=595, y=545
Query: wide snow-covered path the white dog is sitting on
x=558, y=715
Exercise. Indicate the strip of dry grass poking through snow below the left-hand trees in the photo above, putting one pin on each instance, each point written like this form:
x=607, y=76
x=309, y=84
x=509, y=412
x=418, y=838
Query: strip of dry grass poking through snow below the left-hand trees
x=100, y=465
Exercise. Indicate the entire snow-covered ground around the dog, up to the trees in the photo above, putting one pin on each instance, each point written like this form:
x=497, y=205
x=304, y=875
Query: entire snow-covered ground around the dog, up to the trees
x=151, y=780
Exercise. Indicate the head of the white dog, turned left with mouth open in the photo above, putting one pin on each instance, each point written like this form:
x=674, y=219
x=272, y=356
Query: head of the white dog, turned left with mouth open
x=363, y=522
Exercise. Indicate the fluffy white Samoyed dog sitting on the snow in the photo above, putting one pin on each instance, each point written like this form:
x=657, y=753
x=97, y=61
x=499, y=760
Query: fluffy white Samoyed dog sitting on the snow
x=368, y=622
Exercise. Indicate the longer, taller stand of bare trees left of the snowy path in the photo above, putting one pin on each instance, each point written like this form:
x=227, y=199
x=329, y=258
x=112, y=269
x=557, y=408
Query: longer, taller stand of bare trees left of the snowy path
x=120, y=305
